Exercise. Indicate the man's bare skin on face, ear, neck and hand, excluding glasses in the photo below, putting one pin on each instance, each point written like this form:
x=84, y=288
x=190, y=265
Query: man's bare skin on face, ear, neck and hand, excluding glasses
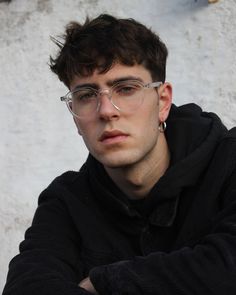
x=136, y=155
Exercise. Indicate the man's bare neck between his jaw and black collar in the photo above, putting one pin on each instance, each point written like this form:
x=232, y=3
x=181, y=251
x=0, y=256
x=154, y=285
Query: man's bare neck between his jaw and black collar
x=137, y=180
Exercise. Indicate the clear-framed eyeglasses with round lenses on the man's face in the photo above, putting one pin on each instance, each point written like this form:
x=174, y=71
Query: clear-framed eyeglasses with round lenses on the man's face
x=124, y=96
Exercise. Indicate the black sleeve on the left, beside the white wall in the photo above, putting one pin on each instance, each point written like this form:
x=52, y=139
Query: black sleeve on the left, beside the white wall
x=48, y=262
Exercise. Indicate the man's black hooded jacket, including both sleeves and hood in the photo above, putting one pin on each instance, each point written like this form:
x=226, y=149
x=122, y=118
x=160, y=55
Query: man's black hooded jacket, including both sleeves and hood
x=180, y=240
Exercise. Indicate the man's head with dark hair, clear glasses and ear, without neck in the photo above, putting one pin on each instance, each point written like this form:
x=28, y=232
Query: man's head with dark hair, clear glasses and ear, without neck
x=115, y=70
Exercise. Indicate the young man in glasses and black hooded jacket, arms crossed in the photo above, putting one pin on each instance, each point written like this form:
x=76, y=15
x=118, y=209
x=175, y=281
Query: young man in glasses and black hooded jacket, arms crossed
x=153, y=209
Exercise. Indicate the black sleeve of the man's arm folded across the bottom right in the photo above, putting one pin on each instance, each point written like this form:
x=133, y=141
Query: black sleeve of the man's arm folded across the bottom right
x=207, y=268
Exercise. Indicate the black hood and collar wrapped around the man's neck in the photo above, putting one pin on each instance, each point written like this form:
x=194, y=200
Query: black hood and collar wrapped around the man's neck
x=192, y=136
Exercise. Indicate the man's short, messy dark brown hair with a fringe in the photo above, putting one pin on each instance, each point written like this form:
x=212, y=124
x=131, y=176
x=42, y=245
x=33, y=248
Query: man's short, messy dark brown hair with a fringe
x=103, y=41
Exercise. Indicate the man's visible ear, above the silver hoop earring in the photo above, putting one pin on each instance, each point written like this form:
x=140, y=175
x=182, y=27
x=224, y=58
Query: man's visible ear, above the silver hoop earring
x=165, y=101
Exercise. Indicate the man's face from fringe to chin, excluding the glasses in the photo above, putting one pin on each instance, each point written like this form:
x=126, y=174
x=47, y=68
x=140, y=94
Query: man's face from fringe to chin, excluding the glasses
x=122, y=138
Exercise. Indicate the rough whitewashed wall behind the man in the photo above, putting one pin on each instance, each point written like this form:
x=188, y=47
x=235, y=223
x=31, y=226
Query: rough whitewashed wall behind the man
x=38, y=139
